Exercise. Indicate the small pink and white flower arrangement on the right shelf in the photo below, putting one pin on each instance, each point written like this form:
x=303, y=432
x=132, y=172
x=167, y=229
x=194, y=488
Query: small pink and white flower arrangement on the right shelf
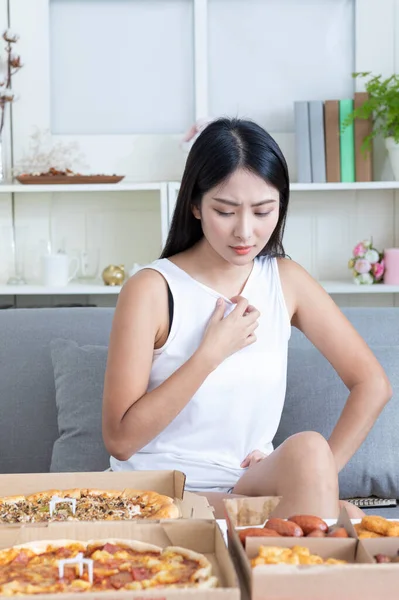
x=367, y=263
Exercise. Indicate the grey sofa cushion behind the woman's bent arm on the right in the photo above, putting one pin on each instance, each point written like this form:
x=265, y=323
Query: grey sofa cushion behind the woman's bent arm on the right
x=314, y=400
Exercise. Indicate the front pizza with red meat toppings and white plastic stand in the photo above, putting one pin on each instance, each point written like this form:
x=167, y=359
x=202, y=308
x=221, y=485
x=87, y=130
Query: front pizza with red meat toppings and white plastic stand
x=67, y=566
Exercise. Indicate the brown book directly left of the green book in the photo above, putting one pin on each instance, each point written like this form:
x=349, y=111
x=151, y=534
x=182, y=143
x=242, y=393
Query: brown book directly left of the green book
x=333, y=155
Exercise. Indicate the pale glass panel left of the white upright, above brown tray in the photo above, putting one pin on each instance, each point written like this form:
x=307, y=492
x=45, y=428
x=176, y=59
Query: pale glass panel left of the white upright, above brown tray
x=121, y=66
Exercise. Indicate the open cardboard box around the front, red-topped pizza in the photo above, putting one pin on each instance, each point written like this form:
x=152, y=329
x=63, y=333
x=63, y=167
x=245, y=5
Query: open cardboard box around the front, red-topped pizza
x=202, y=536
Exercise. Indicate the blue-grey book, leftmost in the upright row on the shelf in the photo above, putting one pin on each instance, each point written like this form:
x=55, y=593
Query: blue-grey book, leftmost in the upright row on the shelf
x=302, y=142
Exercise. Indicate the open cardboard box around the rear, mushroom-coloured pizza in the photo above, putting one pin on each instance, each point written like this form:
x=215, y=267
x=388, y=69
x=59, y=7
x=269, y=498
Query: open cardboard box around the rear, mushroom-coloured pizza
x=170, y=483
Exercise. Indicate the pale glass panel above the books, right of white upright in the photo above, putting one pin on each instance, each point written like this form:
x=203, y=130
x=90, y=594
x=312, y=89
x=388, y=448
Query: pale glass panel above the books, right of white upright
x=265, y=54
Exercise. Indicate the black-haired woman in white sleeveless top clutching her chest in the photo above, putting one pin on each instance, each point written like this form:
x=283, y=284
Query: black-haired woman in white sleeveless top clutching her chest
x=197, y=363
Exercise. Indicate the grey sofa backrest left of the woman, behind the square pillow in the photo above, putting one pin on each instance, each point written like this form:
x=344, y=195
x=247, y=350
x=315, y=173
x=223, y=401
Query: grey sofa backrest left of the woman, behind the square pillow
x=27, y=391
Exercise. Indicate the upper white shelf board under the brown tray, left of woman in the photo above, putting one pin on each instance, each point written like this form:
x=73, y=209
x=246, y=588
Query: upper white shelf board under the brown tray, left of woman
x=123, y=186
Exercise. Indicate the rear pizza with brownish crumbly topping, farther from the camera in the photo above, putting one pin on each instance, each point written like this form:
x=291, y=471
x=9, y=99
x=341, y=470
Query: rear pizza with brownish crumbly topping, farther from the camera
x=86, y=505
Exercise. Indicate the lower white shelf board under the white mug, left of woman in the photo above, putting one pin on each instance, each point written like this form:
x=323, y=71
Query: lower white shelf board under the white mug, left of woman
x=78, y=289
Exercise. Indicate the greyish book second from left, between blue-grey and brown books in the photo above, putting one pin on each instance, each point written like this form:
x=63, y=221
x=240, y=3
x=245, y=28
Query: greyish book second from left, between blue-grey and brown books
x=317, y=145
